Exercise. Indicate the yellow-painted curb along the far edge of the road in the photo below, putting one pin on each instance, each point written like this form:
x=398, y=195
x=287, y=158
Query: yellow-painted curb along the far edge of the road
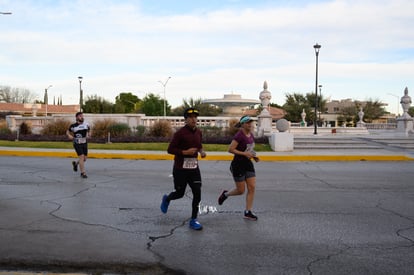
x=162, y=156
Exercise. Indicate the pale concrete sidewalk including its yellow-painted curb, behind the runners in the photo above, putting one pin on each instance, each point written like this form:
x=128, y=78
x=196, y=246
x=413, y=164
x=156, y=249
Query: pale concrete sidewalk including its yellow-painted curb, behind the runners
x=384, y=154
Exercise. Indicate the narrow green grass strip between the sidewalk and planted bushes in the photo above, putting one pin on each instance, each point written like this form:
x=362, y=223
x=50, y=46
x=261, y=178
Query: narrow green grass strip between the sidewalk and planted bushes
x=151, y=146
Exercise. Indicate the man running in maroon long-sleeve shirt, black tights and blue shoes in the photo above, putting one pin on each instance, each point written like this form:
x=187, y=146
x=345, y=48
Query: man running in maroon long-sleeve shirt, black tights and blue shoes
x=185, y=146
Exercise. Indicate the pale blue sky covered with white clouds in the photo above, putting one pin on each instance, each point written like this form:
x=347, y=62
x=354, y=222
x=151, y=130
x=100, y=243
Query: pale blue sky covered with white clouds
x=209, y=48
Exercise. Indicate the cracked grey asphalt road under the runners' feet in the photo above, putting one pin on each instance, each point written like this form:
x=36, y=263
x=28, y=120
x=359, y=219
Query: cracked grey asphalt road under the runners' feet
x=314, y=218
